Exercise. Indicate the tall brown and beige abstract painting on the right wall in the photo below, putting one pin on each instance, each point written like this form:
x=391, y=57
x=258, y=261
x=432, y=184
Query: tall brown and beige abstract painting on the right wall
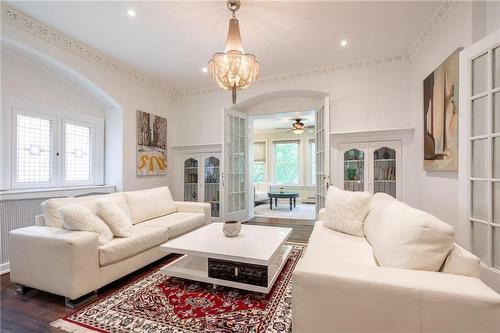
x=441, y=116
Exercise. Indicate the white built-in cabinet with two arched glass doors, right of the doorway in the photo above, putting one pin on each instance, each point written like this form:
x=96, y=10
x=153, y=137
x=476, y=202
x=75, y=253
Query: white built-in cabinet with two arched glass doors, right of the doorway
x=372, y=166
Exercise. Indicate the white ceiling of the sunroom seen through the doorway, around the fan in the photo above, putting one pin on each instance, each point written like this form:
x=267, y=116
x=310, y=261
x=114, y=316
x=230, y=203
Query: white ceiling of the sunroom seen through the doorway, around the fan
x=281, y=122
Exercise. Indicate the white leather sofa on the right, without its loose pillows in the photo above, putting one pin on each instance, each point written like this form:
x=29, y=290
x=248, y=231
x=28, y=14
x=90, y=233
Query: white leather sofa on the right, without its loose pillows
x=338, y=286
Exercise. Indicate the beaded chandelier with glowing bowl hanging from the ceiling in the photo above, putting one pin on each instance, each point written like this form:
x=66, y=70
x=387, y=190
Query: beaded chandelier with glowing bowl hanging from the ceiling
x=233, y=69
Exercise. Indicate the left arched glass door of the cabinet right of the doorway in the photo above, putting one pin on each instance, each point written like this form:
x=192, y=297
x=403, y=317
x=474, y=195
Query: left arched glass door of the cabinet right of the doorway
x=354, y=170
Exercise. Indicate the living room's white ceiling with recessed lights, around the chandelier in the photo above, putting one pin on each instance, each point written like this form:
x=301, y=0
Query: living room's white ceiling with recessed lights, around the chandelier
x=171, y=41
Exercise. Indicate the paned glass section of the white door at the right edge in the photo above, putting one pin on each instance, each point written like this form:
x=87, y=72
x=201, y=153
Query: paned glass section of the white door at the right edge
x=484, y=168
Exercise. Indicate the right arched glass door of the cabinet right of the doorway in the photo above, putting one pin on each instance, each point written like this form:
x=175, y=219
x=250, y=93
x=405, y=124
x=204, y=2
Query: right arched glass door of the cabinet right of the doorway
x=384, y=171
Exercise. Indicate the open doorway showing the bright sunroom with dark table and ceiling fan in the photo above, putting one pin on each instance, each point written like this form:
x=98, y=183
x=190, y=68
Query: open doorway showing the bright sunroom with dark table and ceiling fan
x=283, y=165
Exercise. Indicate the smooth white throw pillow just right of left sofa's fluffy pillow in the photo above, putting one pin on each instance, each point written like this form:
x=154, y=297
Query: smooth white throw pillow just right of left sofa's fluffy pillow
x=116, y=219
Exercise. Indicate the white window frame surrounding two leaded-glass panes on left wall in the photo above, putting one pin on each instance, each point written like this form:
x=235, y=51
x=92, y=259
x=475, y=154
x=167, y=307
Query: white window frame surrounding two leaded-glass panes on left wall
x=59, y=117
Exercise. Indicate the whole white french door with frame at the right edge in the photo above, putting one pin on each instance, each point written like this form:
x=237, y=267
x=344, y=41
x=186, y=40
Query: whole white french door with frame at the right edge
x=479, y=167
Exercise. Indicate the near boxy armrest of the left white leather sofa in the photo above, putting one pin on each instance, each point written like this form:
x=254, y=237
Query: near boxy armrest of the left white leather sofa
x=56, y=260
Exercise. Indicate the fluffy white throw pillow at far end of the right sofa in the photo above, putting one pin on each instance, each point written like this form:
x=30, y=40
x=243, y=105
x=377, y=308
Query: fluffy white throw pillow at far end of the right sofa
x=346, y=211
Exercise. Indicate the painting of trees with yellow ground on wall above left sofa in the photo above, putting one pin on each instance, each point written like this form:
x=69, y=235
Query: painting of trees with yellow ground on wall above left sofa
x=151, y=144
